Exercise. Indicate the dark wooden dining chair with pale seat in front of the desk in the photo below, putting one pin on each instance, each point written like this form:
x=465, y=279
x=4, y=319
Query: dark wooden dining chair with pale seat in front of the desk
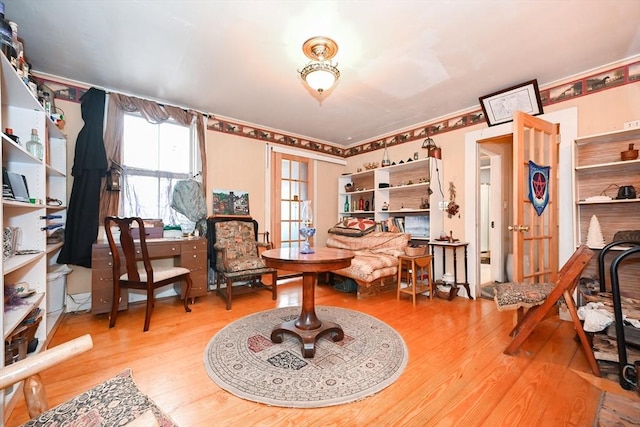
x=145, y=278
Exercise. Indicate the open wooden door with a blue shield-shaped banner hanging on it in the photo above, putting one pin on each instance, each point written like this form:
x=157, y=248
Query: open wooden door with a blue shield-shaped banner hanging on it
x=535, y=235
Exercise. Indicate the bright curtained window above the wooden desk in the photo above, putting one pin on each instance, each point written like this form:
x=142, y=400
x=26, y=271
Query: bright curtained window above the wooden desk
x=155, y=157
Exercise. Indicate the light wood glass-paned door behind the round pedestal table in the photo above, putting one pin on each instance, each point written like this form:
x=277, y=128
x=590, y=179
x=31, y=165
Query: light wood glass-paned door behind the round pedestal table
x=292, y=181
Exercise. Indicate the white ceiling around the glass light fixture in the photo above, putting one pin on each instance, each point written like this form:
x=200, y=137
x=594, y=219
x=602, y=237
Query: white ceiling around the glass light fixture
x=402, y=63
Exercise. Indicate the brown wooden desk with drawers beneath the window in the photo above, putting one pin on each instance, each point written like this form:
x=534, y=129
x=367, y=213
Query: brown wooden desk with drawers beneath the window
x=190, y=253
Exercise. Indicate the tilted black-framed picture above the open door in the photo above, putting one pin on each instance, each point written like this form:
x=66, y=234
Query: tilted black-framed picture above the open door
x=498, y=107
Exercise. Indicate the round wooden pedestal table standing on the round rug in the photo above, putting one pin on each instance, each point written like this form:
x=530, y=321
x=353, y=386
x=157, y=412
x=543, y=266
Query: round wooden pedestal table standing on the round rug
x=307, y=327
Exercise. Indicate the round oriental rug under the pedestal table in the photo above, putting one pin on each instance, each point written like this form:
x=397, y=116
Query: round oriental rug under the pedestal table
x=242, y=360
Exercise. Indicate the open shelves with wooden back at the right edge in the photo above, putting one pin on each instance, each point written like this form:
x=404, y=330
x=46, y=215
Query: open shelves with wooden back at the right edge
x=598, y=172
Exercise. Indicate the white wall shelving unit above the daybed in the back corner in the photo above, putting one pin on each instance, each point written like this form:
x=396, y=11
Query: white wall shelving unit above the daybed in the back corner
x=411, y=186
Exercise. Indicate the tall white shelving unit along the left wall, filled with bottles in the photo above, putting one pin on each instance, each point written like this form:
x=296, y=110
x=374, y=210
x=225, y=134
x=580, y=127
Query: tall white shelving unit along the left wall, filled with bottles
x=21, y=112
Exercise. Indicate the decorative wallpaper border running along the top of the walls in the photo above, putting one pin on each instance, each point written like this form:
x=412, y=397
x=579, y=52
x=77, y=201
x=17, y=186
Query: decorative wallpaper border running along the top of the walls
x=587, y=85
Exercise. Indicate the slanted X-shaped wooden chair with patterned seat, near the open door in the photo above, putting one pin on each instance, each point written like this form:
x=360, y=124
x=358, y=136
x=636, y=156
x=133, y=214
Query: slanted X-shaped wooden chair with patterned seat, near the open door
x=540, y=298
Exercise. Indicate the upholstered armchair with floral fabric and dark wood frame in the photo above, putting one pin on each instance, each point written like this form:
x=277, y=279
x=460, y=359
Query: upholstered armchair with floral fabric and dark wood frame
x=235, y=257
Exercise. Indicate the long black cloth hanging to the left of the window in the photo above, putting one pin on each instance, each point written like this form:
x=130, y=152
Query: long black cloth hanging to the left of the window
x=89, y=166
